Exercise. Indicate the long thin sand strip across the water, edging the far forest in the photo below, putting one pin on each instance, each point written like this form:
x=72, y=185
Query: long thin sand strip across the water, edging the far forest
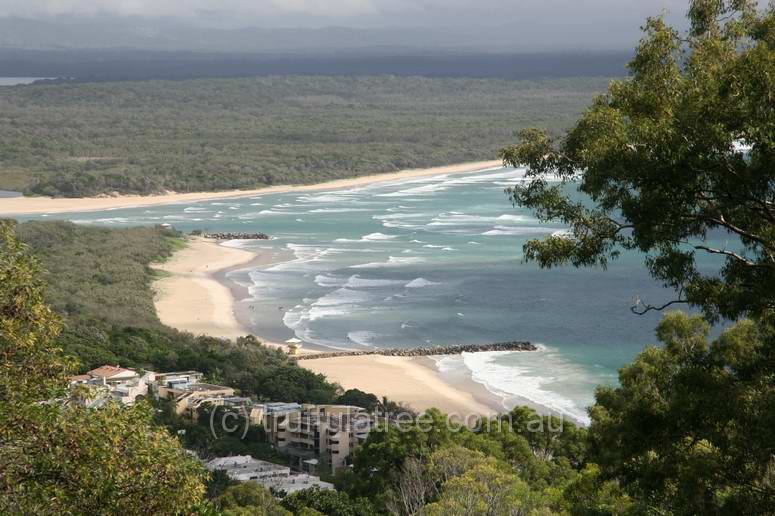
x=32, y=205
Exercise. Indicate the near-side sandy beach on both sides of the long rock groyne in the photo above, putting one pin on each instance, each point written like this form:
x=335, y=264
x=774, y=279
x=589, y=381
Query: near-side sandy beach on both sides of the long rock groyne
x=194, y=296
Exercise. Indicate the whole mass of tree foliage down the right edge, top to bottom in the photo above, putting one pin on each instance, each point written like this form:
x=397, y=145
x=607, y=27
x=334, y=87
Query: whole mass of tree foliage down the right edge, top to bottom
x=687, y=430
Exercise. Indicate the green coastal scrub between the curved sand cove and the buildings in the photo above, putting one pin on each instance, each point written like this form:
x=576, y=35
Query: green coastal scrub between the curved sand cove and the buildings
x=100, y=281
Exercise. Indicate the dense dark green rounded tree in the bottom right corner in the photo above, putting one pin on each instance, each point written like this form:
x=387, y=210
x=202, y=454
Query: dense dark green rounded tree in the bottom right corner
x=689, y=429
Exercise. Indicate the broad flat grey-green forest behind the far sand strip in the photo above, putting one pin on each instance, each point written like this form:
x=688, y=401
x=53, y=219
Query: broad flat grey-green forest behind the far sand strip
x=145, y=137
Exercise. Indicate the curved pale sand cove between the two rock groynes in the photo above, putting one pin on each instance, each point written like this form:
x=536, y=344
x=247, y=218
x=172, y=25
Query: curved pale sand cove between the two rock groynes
x=191, y=298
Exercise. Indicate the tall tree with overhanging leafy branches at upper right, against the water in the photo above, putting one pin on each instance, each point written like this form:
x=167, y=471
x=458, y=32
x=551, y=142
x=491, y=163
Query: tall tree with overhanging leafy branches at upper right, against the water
x=678, y=159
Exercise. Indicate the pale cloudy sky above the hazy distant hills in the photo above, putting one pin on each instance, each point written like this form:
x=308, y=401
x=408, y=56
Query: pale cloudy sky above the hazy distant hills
x=600, y=14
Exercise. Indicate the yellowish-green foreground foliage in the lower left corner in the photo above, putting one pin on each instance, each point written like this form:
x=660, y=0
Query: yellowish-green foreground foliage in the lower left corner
x=61, y=459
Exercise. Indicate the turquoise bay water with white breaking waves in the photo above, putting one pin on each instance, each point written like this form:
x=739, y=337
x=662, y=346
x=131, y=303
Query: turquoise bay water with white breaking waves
x=430, y=261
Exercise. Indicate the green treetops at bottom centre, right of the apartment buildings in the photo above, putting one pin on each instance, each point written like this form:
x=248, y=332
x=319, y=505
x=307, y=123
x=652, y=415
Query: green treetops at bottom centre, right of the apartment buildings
x=433, y=465
